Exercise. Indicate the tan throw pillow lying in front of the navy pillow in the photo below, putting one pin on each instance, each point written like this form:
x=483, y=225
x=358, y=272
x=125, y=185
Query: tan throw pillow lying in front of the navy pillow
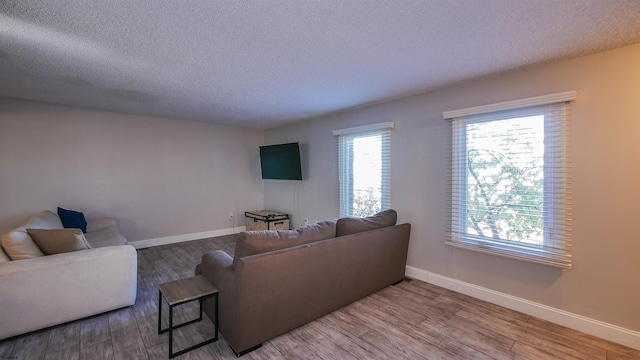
x=59, y=240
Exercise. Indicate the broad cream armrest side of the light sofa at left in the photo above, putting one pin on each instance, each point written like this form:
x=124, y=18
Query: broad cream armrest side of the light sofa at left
x=50, y=290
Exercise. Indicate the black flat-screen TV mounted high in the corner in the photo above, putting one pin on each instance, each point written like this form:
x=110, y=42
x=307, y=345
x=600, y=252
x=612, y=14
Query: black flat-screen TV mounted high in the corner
x=281, y=162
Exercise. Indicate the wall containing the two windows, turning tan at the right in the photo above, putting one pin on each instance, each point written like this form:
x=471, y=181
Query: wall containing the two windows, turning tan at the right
x=603, y=284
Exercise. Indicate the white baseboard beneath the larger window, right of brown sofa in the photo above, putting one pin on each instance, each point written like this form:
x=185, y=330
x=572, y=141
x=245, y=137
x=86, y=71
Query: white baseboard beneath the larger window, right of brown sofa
x=587, y=325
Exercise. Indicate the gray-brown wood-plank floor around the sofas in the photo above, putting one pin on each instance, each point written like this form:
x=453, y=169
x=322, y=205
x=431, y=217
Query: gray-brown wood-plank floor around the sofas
x=412, y=320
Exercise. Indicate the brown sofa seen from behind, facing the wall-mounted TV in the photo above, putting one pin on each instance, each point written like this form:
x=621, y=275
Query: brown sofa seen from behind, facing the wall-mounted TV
x=279, y=280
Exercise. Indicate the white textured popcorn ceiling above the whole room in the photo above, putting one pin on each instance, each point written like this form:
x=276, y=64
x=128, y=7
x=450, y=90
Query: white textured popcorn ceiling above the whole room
x=265, y=63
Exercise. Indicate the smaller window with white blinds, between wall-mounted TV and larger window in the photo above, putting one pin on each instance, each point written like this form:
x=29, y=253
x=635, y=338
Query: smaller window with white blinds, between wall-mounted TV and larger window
x=364, y=169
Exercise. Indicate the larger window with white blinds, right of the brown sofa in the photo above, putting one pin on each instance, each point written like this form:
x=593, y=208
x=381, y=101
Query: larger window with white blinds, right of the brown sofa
x=509, y=186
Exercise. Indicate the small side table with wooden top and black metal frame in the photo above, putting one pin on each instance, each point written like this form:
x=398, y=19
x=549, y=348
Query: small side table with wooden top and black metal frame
x=182, y=291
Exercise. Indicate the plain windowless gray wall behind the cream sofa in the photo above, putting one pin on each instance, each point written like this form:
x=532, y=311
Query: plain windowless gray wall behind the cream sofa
x=159, y=177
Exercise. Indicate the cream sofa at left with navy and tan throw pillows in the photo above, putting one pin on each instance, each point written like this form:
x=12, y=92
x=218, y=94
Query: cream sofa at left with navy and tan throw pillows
x=88, y=273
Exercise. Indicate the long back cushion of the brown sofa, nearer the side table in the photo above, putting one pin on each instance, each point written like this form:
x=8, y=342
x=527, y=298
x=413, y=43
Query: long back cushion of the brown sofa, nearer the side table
x=257, y=242
